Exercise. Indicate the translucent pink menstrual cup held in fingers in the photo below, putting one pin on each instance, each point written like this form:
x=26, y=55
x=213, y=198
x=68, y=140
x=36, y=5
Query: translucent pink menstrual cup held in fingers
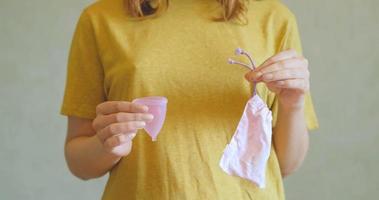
x=157, y=107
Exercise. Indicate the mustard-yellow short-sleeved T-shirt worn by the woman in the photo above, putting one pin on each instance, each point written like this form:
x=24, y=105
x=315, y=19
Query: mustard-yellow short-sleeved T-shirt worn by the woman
x=181, y=55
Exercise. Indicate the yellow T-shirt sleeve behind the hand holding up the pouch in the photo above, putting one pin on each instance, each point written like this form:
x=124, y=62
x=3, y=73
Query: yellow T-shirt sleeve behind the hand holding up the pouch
x=291, y=40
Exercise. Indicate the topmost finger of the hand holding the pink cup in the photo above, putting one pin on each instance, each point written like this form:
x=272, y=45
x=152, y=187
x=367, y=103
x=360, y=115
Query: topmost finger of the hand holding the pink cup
x=110, y=107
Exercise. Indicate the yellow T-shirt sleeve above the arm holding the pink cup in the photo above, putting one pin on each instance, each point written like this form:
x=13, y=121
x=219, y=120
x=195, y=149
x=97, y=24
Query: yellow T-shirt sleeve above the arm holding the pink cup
x=85, y=76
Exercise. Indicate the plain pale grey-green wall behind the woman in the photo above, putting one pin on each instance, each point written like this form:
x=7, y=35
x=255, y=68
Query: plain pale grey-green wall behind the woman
x=340, y=38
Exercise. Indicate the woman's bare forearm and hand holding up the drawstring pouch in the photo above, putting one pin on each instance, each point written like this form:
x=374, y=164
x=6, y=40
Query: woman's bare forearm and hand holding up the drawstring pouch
x=287, y=75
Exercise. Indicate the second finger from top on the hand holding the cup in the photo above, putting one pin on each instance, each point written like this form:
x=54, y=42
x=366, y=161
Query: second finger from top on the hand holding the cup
x=102, y=121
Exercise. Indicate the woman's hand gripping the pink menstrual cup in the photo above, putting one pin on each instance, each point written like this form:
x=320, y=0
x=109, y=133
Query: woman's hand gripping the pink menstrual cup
x=117, y=123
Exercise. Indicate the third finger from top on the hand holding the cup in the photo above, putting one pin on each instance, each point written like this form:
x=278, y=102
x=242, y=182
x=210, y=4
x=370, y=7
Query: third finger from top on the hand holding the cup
x=118, y=128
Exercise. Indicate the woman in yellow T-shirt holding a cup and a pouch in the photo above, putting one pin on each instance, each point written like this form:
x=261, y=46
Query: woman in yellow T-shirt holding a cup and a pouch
x=122, y=50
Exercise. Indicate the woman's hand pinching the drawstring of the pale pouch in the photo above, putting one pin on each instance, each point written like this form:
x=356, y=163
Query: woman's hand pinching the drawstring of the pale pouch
x=287, y=75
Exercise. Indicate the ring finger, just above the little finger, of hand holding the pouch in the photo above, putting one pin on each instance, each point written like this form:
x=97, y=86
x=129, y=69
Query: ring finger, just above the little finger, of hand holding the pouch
x=296, y=73
